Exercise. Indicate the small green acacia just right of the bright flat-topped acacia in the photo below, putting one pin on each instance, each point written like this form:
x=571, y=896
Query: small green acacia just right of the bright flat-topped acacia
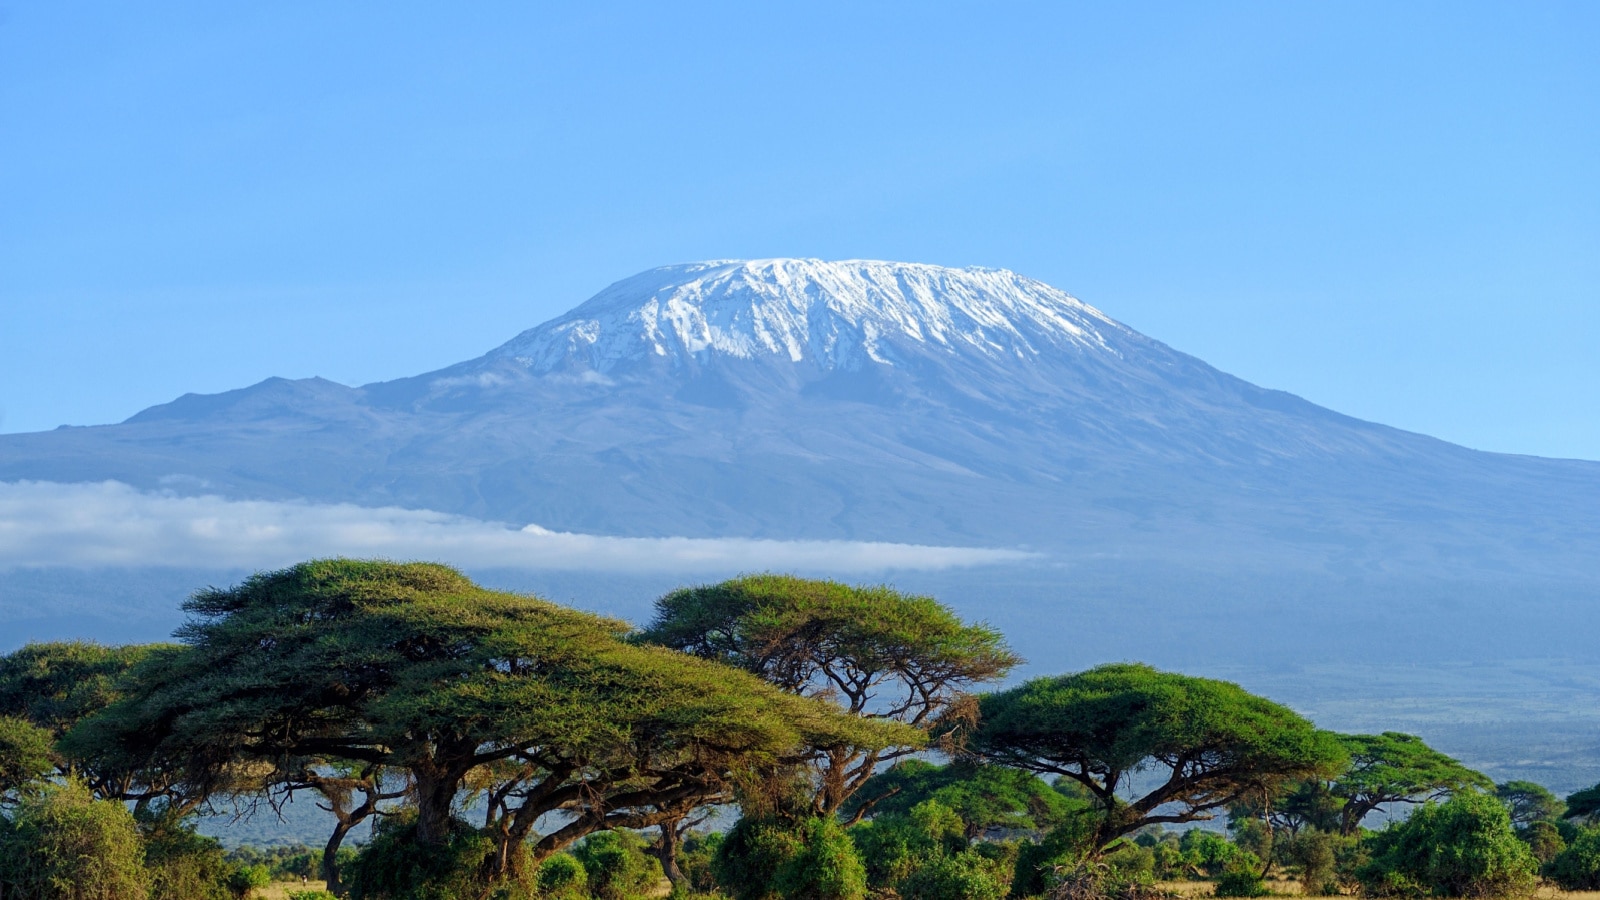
x=1396, y=768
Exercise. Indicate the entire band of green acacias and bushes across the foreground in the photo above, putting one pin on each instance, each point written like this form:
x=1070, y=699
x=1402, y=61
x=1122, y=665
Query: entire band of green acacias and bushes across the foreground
x=761, y=739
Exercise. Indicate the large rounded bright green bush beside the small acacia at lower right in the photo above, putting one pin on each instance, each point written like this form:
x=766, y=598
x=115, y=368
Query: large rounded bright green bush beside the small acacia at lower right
x=1463, y=848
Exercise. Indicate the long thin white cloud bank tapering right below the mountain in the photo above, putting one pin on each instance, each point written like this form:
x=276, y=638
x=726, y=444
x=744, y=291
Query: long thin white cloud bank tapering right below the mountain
x=110, y=524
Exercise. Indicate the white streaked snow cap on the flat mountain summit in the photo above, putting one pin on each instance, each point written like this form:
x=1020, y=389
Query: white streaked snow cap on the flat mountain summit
x=836, y=315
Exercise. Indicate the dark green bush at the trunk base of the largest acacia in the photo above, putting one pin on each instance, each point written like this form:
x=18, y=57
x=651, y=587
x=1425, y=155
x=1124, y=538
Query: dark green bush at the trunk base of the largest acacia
x=398, y=867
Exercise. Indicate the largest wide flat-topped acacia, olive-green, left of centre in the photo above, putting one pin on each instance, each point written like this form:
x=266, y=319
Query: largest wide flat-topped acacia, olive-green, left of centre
x=415, y=669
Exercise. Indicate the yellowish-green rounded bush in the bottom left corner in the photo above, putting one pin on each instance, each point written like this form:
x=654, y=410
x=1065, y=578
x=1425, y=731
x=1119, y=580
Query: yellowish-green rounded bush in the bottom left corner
x=63, y=845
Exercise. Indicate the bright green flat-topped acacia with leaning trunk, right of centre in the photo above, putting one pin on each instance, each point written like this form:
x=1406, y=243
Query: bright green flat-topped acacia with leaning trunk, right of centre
x=1215, y=742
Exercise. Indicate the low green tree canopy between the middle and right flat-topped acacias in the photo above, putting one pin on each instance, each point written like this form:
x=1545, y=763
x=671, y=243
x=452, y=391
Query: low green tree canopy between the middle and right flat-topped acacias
x=983, y=797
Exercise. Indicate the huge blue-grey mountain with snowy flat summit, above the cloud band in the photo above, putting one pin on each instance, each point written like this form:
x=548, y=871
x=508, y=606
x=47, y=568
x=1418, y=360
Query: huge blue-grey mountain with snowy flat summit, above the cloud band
x=868, y=401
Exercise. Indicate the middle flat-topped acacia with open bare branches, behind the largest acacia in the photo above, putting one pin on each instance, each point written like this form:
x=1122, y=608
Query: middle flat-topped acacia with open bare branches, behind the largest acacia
x=879, y=654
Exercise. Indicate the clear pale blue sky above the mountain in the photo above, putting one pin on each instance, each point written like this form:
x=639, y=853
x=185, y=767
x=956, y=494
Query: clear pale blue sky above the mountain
x=1390, y=209
